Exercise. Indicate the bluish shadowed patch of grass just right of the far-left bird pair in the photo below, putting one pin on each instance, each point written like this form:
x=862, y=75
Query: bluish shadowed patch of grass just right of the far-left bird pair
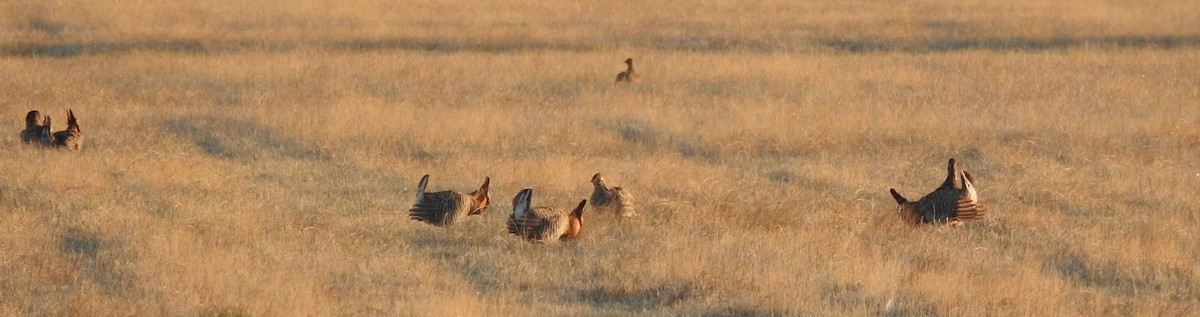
x=241, y=140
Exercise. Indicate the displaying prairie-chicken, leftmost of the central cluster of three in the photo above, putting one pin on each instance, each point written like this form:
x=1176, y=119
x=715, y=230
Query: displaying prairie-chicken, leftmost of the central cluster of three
x=447, y=208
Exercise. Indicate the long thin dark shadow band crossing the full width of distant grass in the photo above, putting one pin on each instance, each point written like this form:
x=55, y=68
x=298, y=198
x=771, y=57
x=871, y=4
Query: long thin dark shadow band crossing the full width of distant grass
x=687, y=44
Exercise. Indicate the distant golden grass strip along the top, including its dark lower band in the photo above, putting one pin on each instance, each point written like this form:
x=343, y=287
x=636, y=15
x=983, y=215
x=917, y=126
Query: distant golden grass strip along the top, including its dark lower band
x=69, y=28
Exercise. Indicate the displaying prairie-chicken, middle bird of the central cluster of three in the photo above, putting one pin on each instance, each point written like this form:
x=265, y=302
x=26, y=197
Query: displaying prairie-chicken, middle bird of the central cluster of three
x=544, y=225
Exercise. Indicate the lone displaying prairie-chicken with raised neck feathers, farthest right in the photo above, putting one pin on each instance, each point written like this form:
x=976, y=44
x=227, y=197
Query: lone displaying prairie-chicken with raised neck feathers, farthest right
x=956, y=201
